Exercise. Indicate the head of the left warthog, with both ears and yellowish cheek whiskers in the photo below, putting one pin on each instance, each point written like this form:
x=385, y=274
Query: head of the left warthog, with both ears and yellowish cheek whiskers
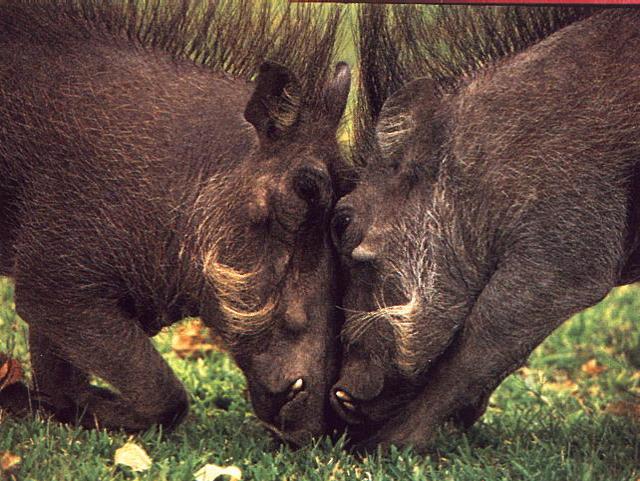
x=266, y=254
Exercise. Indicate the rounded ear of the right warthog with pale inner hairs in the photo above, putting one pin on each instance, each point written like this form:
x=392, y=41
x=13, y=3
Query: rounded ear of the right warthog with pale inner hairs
x=406, y=131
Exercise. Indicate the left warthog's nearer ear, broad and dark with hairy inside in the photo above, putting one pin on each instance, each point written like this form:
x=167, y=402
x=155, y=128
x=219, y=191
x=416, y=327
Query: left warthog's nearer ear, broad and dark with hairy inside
x=274, y=107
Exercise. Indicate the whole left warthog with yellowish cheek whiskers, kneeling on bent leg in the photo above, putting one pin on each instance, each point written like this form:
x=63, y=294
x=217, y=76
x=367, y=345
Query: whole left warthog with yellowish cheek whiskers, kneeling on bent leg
x=144, y=179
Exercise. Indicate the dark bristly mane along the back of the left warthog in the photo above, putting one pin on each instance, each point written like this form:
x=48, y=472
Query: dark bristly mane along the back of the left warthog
x=231, y=36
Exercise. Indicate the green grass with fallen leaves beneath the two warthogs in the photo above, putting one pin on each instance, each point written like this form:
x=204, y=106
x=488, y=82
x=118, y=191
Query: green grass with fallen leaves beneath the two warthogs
x=547, y=422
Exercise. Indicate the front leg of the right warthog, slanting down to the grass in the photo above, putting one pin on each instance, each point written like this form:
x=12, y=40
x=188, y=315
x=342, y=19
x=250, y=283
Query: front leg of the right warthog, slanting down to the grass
x=514, y=313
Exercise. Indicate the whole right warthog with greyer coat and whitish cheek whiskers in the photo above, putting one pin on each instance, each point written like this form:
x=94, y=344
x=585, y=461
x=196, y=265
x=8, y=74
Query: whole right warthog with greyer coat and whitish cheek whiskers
x=492, y=207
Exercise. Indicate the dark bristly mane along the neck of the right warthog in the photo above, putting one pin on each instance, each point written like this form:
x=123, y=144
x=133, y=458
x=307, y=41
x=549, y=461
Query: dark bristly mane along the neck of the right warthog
x=444, y=43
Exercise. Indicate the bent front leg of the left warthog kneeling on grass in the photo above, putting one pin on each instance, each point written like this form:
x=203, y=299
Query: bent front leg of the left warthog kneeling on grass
x=114, y=349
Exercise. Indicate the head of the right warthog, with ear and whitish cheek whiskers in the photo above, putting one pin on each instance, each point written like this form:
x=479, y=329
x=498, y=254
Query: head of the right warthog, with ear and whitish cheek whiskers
x=387, y=232
